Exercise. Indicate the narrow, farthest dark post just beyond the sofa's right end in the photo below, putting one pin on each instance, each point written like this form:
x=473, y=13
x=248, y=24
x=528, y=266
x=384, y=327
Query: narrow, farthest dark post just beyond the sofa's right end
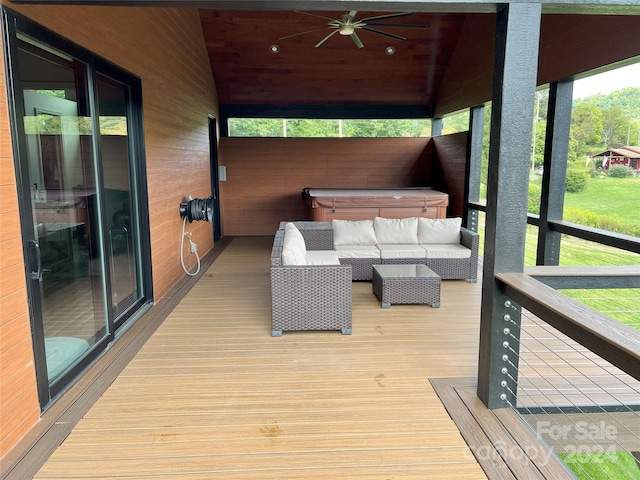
x=474, y=165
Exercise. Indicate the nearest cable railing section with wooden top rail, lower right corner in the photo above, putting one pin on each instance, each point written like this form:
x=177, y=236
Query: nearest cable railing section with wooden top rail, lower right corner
x=585, y=408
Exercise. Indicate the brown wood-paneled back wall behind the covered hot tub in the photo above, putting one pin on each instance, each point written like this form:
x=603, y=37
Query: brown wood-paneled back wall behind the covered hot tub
x=265, y=176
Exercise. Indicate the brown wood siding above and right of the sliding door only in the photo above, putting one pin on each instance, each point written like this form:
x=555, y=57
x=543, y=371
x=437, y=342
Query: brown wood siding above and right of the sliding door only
x=178, y=93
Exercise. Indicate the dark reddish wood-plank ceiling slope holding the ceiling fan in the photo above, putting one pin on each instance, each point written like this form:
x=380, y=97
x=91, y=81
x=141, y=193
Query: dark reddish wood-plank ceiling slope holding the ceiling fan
x=337, y=72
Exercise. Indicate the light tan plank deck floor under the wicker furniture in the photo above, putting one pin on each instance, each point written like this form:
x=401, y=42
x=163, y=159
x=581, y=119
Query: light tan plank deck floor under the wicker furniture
x=213, y=395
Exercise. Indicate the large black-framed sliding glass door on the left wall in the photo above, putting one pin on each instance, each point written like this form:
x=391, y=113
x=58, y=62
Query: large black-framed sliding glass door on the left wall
x=79, y=164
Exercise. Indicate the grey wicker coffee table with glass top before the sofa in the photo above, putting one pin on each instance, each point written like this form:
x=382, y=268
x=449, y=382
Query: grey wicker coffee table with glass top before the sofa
x=406, y=284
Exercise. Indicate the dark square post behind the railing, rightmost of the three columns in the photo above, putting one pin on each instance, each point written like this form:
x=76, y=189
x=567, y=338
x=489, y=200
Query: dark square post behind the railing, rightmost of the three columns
x=556, y=151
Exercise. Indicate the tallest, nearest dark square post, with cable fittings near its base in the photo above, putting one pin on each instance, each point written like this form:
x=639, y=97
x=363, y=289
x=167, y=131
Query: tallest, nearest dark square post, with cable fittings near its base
x=515, y=72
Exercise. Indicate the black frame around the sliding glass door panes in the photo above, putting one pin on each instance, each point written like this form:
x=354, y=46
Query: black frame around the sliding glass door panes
x=12, y=23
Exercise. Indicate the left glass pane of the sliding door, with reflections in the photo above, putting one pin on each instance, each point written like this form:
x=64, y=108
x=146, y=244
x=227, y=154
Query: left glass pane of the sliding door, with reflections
x=64, y=207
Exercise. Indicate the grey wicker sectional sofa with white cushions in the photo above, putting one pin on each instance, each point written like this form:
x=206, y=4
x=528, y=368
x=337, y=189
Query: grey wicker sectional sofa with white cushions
x=314, y=263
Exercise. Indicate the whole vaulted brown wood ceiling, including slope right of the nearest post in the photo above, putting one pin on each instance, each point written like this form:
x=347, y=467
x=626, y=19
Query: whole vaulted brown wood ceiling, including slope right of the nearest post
x=445, y=63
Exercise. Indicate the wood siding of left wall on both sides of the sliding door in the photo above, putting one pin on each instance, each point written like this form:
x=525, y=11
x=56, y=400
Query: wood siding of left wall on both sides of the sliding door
x=165, y=48
